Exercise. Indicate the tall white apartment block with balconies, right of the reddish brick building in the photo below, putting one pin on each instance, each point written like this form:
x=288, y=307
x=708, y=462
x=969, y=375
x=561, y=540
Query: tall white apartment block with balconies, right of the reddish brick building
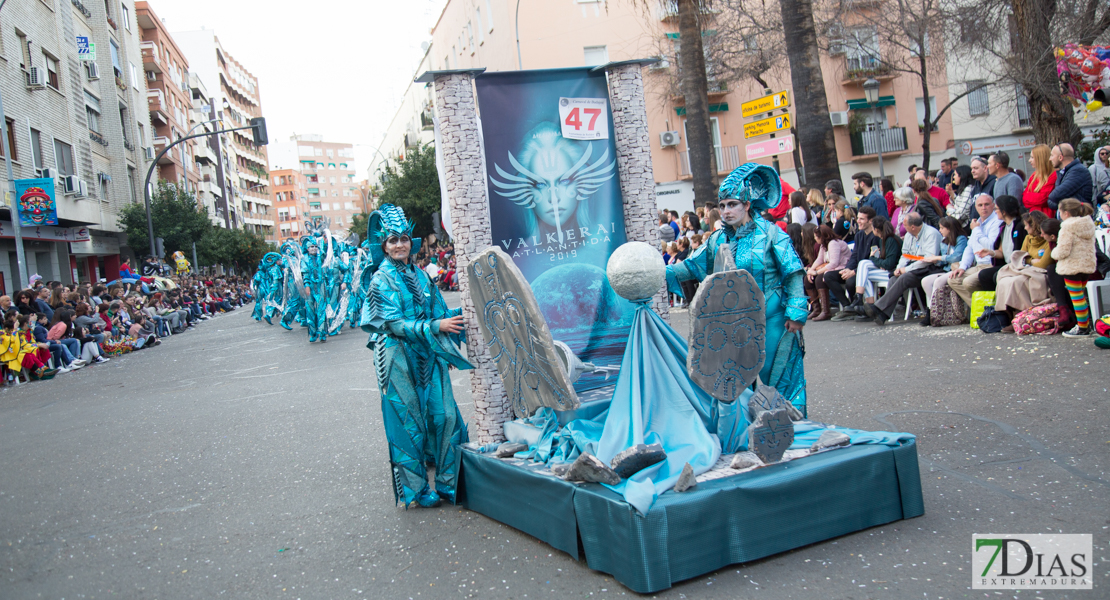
x=235, y=99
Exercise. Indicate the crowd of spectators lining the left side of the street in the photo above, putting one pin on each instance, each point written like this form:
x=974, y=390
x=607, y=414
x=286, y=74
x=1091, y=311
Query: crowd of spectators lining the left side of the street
x=53, y=329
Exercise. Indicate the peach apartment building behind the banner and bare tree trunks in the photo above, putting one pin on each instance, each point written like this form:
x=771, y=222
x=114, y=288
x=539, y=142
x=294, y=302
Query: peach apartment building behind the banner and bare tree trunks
x=483, y=34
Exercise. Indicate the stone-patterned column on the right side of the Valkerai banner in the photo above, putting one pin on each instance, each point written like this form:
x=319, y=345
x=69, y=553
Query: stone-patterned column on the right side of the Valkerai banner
x=634, y=162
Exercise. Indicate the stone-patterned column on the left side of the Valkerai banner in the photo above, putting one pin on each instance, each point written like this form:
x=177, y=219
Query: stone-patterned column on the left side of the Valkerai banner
x=465, y=174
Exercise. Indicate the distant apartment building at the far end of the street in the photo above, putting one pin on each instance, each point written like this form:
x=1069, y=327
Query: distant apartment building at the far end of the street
x=330, y=181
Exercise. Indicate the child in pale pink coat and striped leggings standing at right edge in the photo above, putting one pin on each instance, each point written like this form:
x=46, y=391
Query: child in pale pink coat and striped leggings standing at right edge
x=1075, y=261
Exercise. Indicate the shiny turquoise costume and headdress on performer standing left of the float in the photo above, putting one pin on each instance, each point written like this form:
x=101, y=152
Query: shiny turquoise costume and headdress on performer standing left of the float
x=402, y=313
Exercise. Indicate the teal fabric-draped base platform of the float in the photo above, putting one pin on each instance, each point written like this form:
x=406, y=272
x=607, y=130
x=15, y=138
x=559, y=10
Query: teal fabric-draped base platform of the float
x=724, y=521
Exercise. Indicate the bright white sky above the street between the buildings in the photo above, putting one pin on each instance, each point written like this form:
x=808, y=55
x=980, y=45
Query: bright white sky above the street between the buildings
x=338, y=68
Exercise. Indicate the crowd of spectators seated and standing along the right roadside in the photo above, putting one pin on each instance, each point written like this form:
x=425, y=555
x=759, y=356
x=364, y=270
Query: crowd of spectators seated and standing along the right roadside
x=946, y=235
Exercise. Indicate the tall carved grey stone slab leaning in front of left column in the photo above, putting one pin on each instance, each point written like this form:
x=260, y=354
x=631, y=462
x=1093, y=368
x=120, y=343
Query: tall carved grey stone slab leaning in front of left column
x=518, y=337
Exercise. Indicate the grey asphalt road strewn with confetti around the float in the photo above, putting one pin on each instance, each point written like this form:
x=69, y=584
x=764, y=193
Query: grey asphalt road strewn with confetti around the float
x=239, y=462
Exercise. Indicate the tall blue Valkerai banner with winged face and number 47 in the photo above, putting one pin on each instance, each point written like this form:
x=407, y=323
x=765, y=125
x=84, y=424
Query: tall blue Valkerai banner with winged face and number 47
x=556, y=202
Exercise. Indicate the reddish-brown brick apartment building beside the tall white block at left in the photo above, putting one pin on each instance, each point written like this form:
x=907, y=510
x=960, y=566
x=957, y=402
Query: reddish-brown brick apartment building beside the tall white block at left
x=169, y=99
